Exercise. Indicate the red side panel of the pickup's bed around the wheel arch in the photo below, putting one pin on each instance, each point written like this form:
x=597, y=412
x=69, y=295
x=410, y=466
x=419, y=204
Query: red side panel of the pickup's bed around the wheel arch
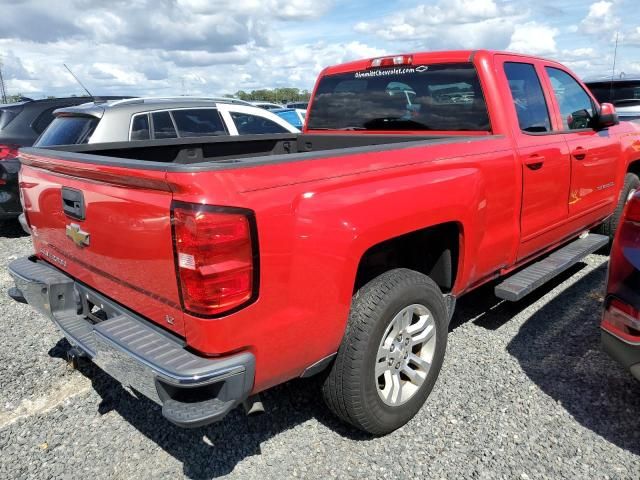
x=316, y=218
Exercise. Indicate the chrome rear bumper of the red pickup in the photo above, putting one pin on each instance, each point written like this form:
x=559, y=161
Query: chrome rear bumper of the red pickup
x=192, y=390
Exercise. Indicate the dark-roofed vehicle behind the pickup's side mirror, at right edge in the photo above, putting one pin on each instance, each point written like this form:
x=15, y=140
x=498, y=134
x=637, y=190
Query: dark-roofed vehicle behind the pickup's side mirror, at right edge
x=624, y=93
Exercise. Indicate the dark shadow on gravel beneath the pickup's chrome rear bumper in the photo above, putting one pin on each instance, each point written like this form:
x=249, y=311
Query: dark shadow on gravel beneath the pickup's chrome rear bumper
x=214, y=451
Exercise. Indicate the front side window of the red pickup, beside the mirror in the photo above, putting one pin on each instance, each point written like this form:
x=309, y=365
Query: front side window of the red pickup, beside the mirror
x=576, y=107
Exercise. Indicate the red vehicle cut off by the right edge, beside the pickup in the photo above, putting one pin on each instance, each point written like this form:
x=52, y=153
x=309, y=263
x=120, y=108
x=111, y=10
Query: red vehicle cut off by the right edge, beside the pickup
x=621, y=319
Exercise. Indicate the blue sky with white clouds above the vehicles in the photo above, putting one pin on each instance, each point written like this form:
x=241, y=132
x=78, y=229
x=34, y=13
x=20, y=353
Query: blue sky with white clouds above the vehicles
x=213, y=47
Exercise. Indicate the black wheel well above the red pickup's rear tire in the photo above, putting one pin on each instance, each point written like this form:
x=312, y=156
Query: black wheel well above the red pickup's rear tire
x=433, y=251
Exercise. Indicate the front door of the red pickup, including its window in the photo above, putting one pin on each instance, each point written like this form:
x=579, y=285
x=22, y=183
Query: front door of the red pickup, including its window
x=594, y=153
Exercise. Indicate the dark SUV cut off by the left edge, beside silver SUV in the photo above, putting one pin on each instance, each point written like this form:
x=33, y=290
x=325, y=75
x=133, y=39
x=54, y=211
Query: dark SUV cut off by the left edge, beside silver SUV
x=20, y=125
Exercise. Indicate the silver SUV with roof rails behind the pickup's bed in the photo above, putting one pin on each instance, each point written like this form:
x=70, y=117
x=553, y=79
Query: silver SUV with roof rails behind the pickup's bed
x=158, y=118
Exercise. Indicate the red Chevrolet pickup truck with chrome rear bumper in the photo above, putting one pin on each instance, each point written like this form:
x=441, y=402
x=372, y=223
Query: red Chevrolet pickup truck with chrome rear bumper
x=203, y=271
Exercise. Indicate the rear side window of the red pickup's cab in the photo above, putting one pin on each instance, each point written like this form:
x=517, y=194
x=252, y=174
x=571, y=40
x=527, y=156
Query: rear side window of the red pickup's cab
x=528, y=97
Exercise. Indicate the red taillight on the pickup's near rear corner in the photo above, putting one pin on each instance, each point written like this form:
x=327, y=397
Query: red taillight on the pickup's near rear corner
x=216, y=257
